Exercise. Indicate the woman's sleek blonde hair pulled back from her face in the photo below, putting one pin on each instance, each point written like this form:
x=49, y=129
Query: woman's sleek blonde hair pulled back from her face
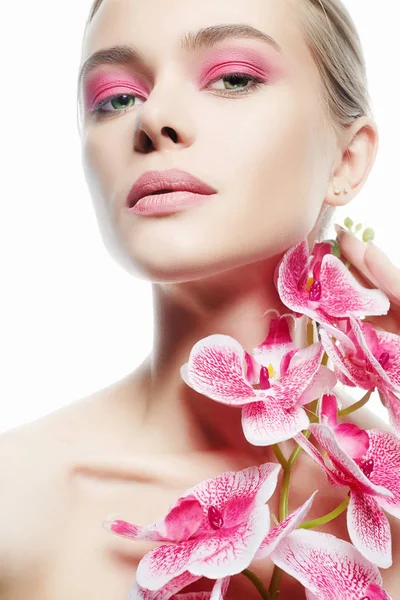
x=335, y=45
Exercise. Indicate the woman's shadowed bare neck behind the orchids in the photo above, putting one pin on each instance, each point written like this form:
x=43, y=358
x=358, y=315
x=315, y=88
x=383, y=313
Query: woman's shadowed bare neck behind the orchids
x=233, y=303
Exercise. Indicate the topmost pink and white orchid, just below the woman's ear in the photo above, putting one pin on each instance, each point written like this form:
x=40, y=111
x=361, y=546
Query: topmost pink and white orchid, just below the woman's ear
x=320, y=286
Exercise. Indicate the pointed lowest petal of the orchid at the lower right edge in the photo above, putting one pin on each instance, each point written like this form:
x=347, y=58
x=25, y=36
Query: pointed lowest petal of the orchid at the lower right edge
x=369, y=529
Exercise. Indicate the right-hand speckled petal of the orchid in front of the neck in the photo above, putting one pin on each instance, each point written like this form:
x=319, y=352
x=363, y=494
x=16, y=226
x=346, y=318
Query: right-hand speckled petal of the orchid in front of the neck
x=302, y=369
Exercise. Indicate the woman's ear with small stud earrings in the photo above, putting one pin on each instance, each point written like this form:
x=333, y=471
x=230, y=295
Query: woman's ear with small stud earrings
x=354, y=161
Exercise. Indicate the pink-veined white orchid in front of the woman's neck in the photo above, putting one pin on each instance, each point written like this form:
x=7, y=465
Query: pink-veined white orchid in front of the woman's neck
x=288, y=378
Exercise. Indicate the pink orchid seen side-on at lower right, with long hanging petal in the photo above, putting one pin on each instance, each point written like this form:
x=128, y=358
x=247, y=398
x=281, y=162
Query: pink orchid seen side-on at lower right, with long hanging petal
x=368, y=462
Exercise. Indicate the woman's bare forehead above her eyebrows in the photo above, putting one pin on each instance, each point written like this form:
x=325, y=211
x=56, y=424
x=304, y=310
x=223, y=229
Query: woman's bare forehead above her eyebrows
x=156, y=27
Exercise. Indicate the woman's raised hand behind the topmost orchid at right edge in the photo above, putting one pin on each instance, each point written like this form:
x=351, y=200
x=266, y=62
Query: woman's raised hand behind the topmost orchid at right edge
x=372, y=268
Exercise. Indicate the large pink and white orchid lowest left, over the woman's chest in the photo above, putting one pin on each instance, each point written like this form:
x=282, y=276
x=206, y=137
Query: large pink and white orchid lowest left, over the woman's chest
x=216, y=528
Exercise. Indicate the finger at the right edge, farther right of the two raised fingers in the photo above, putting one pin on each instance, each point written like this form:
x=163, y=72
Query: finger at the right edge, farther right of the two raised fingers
x=385, y=271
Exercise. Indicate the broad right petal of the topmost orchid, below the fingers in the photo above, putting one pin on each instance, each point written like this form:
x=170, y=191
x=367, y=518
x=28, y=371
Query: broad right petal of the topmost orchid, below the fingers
x=343, y=296
